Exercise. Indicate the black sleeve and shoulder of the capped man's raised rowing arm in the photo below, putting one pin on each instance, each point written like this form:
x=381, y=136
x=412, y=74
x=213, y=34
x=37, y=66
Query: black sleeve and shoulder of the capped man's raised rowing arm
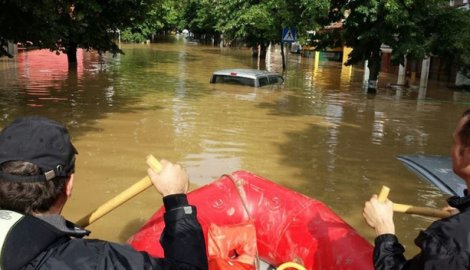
x=182, y=240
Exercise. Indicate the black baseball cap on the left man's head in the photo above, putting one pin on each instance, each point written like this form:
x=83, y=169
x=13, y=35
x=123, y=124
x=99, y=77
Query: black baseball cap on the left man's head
x=41, y=141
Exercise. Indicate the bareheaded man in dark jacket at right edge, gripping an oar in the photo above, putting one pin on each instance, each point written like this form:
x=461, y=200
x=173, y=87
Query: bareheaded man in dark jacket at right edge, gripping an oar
x=445, y=244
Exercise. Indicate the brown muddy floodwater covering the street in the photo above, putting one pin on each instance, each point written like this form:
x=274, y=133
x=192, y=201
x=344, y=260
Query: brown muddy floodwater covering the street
x=319, y=134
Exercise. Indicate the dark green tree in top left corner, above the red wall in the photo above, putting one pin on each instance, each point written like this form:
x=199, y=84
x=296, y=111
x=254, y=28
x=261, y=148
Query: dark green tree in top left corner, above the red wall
x=64, y=25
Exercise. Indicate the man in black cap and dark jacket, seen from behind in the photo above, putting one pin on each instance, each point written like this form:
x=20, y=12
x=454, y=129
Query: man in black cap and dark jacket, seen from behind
x=37, y=163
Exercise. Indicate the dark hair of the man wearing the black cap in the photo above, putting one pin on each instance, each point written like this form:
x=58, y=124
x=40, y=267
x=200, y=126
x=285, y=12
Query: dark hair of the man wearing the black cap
x=28, y=197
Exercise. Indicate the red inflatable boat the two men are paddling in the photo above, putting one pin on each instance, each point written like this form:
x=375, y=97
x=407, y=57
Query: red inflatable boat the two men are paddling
x=290, y=227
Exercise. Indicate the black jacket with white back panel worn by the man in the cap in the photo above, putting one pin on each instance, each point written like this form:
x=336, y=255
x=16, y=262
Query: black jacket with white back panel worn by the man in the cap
x=51, y=243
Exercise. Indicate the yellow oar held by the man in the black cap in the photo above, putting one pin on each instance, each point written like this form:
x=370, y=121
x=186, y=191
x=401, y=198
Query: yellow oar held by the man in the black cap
x=122, y=197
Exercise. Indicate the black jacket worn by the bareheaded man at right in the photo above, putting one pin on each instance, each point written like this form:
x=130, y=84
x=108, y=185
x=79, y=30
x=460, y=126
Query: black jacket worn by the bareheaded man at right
x=444, y=245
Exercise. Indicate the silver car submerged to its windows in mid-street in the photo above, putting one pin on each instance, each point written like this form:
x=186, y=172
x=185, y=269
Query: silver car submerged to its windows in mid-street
x=248, y=77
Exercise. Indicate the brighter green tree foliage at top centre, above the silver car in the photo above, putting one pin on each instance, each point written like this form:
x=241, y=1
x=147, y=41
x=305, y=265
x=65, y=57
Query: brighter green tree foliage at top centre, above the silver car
x=252, y=22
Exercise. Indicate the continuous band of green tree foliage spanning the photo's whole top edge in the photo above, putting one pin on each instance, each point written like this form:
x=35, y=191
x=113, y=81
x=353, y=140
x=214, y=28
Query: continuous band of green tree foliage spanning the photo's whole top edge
x=412, y=28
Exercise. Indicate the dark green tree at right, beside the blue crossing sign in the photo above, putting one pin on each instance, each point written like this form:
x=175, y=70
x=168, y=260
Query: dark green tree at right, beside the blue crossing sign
x=412, y=28
